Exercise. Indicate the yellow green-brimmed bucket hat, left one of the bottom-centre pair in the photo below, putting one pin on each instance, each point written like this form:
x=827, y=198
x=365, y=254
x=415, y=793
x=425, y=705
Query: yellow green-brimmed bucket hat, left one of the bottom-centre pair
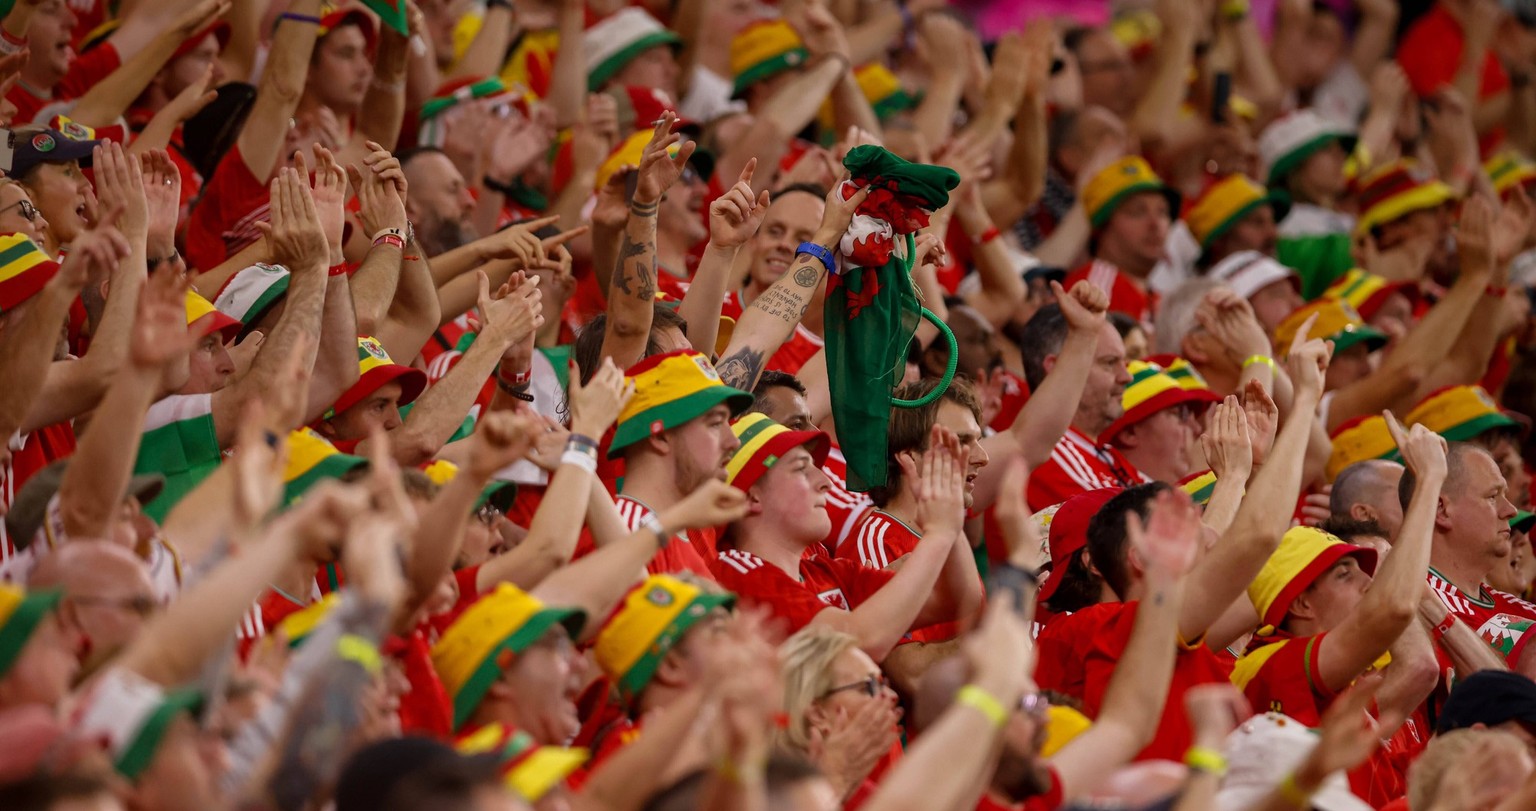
x=486, y=638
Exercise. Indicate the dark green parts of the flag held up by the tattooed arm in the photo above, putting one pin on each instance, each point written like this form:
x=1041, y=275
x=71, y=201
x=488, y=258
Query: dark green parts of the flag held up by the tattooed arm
x=872, y=316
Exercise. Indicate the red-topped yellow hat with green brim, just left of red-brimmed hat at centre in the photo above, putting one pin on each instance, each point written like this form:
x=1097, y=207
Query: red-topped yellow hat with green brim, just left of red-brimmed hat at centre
x=672, y=389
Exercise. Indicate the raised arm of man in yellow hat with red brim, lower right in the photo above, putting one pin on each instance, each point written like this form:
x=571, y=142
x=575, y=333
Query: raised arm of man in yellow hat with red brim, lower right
x=1391, y=603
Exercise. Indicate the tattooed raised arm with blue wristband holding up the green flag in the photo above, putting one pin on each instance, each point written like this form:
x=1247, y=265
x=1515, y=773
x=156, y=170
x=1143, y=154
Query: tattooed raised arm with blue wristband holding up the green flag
x=770, y=319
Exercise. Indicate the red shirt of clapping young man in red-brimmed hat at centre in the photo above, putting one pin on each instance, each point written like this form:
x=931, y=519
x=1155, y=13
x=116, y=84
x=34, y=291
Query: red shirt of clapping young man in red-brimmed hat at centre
x=824, y=583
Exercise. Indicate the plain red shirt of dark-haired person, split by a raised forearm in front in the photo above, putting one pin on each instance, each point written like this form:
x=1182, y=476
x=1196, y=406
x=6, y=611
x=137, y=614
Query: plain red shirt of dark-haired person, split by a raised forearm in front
x=1193, y=667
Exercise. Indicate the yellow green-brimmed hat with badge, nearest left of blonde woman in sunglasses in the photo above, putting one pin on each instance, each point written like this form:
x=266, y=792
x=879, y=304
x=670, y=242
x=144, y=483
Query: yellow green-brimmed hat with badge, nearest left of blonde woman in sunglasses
x=650, y=621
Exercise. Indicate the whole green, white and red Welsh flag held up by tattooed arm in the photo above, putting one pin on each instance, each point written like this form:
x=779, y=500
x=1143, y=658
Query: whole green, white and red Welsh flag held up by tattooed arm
x=872, y=305
